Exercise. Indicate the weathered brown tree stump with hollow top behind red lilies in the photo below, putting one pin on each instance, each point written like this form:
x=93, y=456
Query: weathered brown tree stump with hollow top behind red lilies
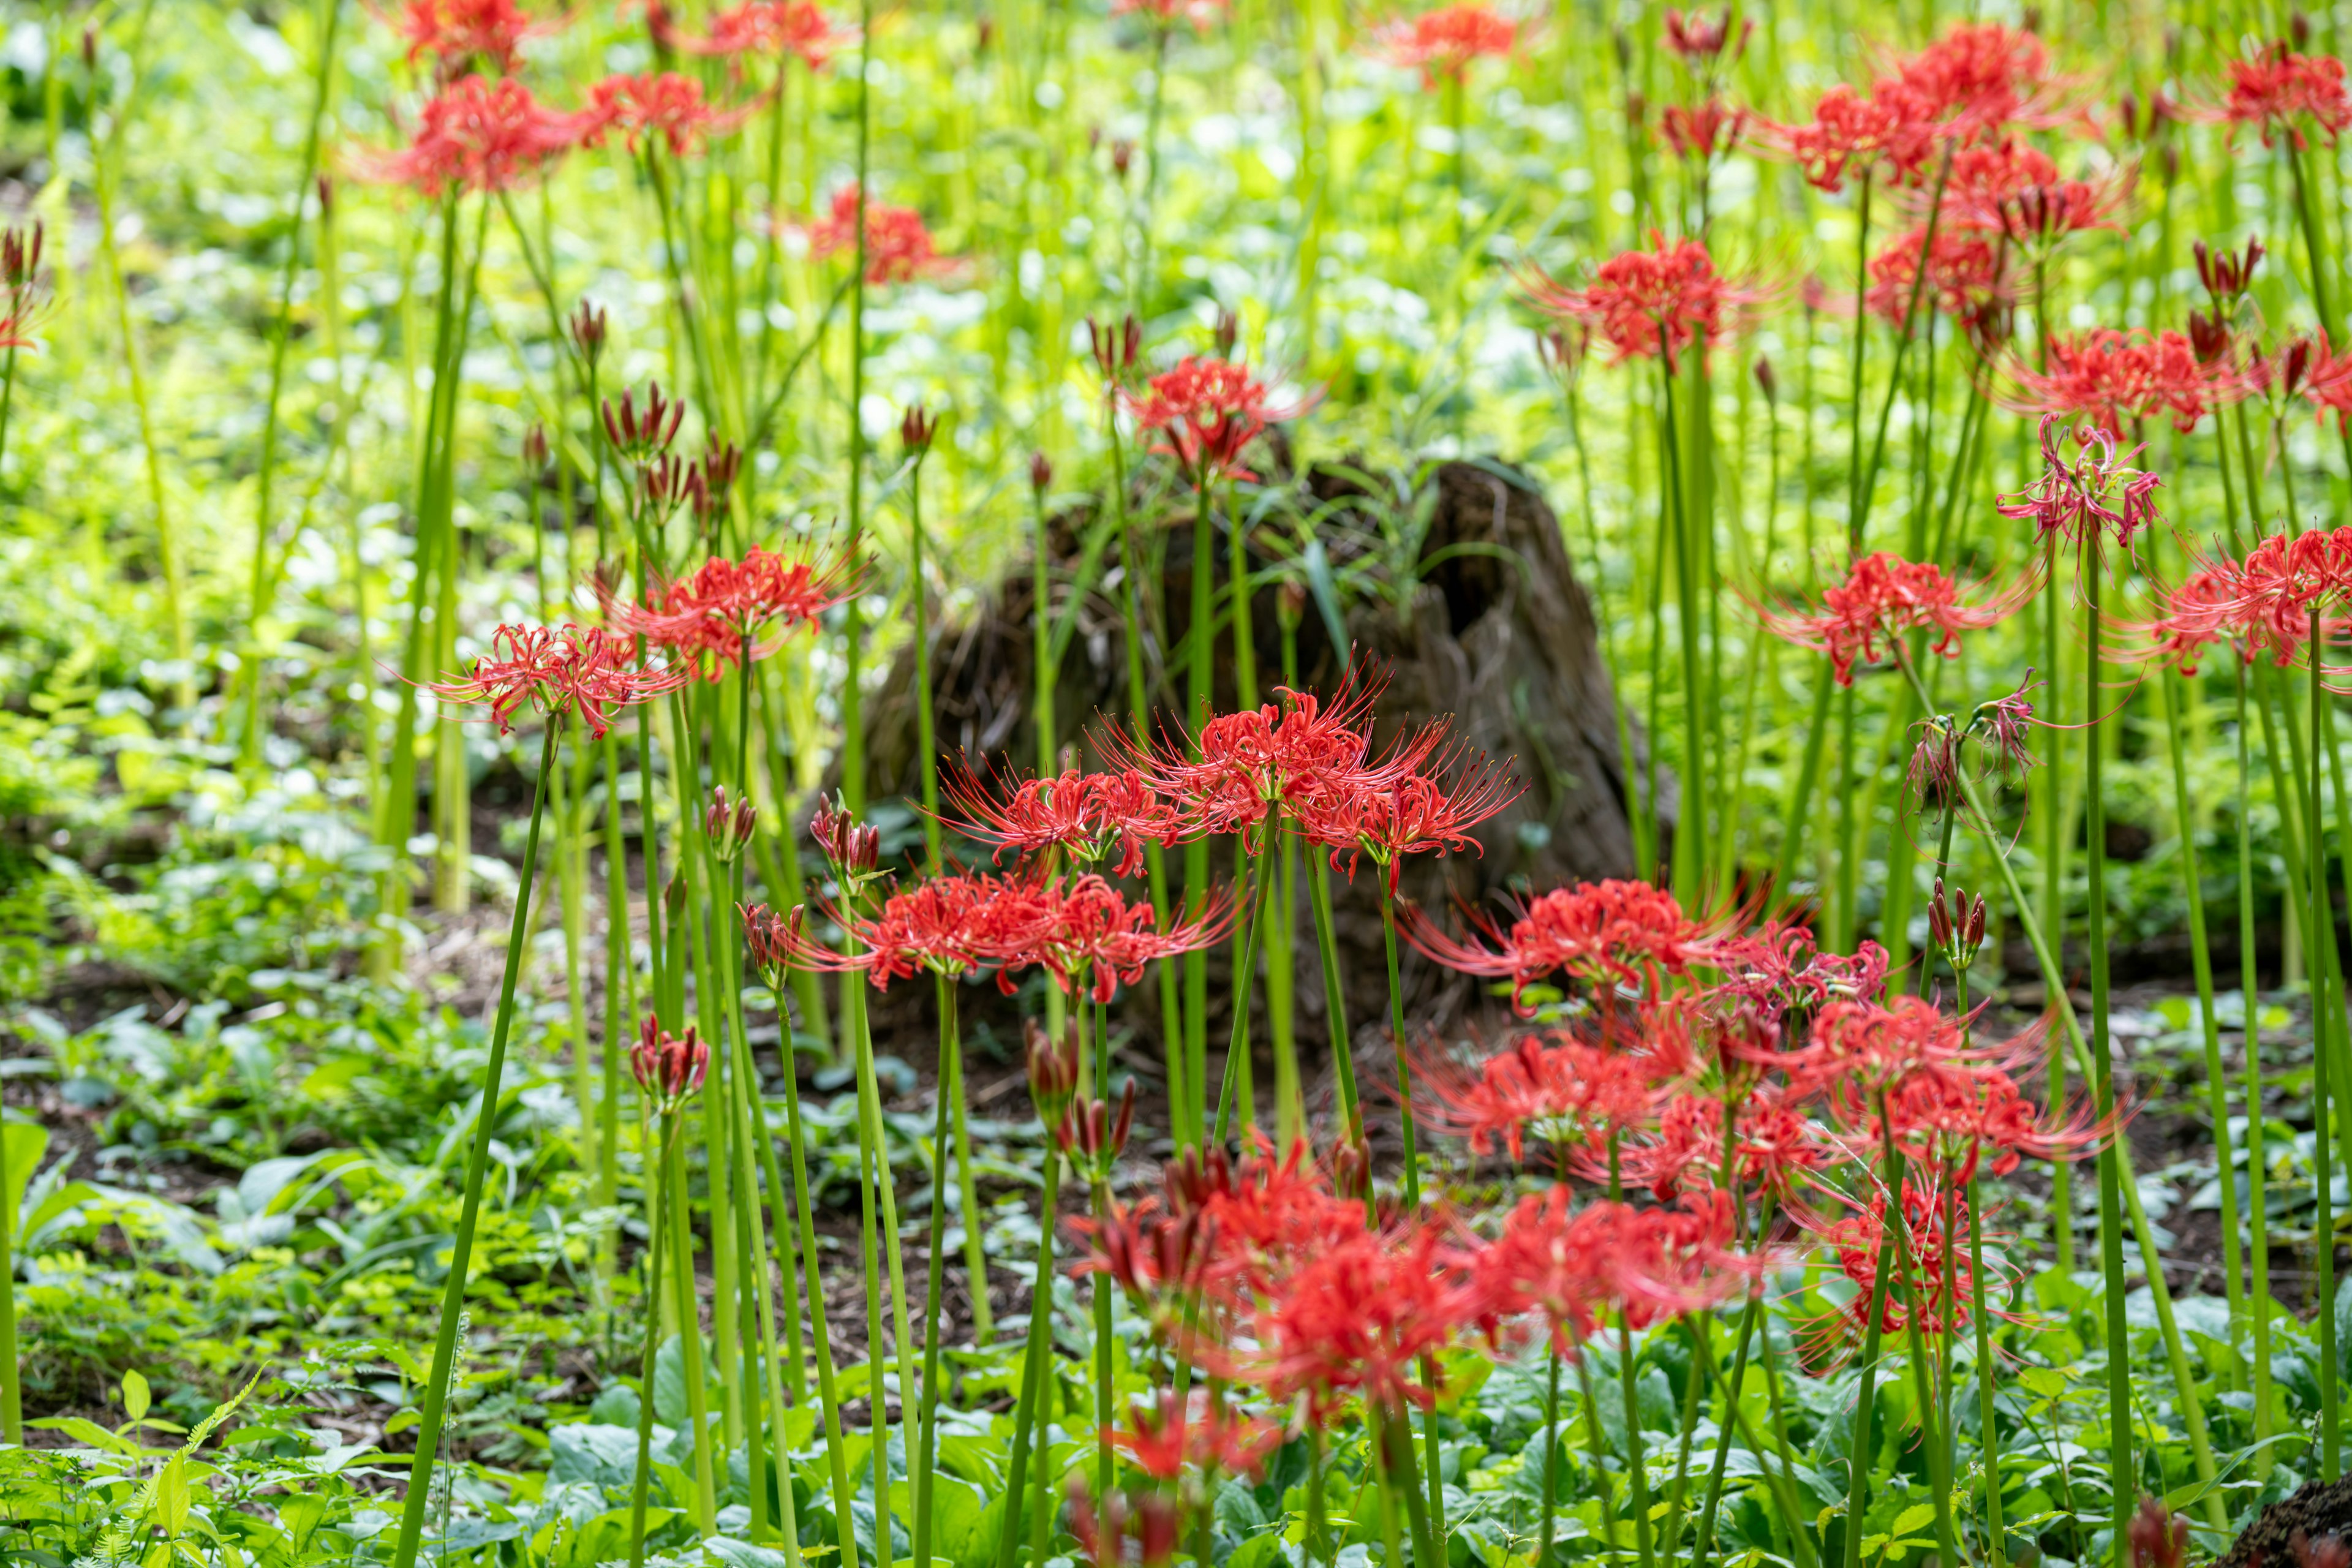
x=1495, y=631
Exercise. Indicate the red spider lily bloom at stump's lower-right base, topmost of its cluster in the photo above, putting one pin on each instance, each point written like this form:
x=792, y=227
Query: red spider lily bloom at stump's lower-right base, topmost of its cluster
x=1598, y=932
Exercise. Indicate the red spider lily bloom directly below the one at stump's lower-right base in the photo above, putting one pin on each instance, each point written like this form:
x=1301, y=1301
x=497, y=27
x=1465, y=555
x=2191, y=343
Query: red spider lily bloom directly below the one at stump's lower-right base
x=1558, y=1090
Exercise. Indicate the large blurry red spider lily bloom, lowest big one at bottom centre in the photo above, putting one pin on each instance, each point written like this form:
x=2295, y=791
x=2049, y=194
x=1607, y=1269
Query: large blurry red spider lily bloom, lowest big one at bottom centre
x=1361, y=1318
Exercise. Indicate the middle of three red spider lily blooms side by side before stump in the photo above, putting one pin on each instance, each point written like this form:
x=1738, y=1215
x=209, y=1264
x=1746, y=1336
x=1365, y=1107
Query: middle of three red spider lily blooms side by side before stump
x=1302, y=753
